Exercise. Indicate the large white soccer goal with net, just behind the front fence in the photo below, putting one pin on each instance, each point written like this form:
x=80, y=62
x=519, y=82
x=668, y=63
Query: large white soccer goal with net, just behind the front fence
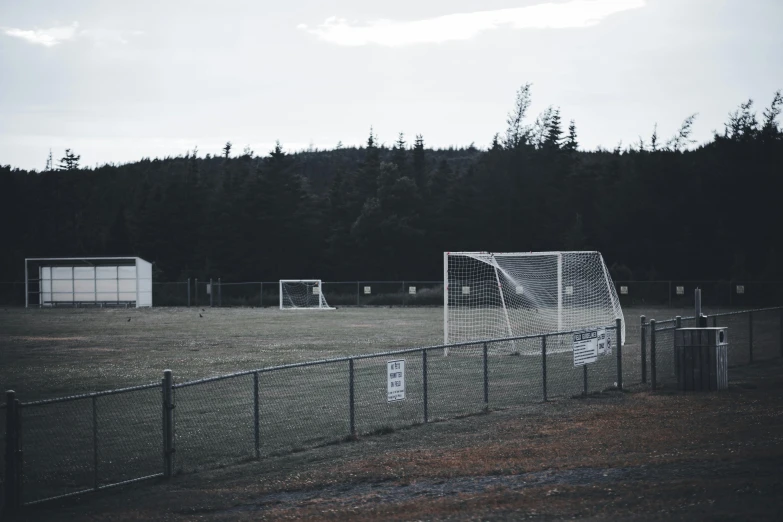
x=496, y=295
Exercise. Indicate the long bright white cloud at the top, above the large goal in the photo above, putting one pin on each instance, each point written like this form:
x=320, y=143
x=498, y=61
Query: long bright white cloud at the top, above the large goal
x=463, y=26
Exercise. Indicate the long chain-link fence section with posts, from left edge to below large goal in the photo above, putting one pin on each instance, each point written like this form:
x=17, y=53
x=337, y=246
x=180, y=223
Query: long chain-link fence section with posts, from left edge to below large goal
x=72, y=445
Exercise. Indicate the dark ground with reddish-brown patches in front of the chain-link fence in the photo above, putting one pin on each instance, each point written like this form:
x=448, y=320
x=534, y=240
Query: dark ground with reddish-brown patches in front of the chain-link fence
x=619, y=456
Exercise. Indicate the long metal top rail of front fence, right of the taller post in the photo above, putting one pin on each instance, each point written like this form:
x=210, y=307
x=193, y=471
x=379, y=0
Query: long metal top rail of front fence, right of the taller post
x=381, y=354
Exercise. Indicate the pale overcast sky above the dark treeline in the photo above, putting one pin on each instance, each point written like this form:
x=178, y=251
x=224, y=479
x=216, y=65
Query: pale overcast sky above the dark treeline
x=119, y=80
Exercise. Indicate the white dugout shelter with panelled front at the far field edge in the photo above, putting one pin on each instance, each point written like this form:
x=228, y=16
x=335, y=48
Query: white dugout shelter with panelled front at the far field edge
x=88, y=281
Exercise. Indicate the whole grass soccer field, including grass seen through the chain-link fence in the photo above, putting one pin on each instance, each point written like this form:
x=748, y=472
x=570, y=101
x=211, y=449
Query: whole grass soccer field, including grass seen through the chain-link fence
x=80, y=444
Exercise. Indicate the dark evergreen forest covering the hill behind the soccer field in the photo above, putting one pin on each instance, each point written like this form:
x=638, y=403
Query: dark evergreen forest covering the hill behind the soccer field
x=662, y=208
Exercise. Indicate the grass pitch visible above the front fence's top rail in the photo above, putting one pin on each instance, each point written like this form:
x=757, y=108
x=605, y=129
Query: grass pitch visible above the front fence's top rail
x=50, y=353
